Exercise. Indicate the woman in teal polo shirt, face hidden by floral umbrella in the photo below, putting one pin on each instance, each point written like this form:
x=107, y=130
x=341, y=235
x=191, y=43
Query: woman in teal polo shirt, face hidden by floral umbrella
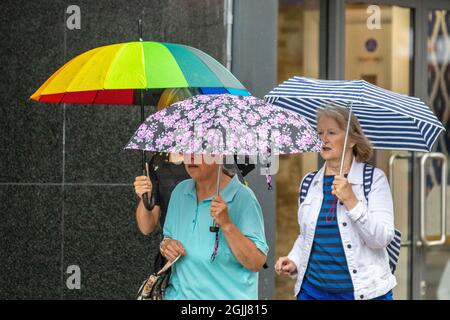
x=242, y=250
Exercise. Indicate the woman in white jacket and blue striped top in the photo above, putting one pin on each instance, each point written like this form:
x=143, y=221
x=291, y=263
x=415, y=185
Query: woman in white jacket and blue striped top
x=340, y=252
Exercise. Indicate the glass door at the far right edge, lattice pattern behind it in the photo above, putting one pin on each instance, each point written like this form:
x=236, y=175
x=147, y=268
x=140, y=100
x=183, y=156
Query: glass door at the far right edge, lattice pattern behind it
x=435, y=265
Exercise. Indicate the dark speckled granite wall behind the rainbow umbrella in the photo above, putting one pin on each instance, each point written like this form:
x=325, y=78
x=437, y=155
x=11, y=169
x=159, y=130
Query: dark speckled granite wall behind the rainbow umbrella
x=66, y=195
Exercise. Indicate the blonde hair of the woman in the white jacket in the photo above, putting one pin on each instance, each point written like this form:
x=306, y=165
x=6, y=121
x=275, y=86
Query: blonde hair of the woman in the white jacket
x=363, y=149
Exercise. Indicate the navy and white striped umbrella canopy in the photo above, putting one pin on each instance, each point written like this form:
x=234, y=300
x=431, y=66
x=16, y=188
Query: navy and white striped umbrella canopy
x=389, y=120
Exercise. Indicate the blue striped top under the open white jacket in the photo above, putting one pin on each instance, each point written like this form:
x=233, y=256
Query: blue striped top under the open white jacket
x=327, y=268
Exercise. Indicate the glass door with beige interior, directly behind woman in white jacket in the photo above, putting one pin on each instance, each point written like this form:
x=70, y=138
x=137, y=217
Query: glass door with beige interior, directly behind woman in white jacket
x=379, y=49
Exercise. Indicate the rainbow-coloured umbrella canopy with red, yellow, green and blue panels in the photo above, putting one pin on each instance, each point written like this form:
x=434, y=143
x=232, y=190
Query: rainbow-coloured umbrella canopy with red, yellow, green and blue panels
x=112, y=74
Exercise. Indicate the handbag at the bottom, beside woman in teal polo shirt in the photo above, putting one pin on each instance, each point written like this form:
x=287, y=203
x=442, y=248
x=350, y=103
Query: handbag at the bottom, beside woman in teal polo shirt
x=154, y=287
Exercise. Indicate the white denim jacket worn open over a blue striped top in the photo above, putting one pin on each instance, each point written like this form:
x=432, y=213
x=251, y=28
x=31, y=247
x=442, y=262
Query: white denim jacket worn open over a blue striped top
x=368, y=228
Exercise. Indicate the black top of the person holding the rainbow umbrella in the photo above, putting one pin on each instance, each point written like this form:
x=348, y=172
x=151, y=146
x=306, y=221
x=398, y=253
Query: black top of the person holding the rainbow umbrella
x=165, y=176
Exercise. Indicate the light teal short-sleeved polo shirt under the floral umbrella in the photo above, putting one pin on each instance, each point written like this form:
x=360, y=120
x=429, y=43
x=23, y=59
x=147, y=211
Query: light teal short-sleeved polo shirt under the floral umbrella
x=194, y=276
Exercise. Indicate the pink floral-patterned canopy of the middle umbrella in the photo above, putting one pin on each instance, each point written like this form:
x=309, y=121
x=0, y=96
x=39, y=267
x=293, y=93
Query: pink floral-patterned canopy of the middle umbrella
x=225, y=124
